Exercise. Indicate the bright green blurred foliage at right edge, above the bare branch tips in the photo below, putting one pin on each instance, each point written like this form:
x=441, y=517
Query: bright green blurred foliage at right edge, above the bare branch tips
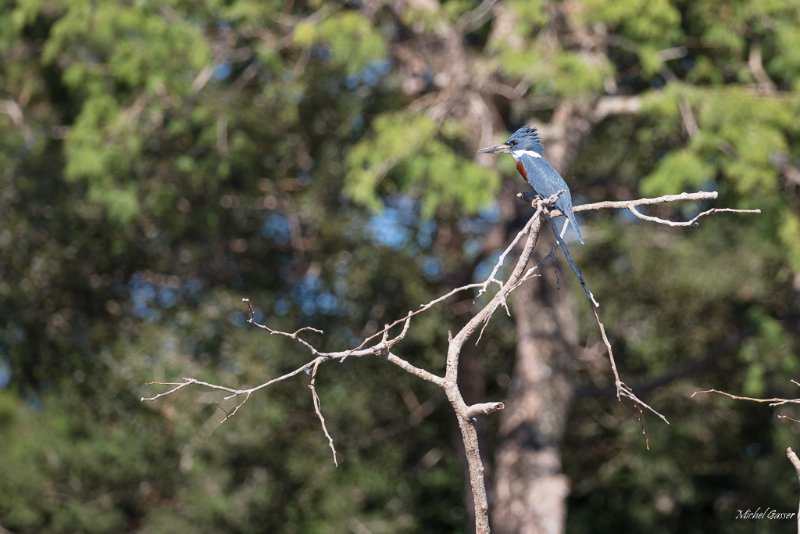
x=740, y=136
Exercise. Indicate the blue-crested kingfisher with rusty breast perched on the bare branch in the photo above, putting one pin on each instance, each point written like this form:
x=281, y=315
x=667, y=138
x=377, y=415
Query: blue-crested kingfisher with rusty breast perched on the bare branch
x=525, y=146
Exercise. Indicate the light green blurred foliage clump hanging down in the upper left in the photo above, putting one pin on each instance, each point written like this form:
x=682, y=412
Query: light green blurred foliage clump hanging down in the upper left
x=106, y=53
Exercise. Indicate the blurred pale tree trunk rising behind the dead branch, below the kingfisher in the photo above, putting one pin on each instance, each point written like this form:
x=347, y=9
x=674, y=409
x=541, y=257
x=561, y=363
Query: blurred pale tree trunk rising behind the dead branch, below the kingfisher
x=530, y=487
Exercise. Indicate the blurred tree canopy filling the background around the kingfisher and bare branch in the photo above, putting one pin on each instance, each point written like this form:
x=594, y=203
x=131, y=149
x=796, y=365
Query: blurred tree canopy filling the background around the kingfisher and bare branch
x=161, y=160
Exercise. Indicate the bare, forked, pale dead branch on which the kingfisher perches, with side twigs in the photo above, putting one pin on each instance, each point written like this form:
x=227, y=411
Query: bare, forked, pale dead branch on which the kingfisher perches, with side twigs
x=381, y=343
